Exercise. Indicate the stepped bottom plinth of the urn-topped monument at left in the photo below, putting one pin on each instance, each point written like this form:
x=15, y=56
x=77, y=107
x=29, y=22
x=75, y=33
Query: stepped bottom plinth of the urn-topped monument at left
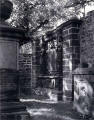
x=13, y=111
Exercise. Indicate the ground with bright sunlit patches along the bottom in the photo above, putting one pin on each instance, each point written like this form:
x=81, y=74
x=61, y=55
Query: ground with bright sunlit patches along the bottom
x=48, y=110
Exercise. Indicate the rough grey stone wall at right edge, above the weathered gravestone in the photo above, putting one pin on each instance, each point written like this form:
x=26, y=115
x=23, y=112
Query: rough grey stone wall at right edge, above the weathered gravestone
x=87, y=39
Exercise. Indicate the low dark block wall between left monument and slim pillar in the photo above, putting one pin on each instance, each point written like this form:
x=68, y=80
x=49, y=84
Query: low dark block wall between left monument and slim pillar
x=25, y=68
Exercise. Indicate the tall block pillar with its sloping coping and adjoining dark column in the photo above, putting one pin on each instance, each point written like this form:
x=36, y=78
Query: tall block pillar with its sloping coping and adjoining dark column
x=67, y=36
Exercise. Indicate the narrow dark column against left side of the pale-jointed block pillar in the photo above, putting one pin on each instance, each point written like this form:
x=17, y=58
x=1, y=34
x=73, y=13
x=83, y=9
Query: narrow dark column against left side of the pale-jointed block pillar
x=59, y=64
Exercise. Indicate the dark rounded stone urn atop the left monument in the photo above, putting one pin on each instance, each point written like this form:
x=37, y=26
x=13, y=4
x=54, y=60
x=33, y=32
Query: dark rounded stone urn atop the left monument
x=5, y=9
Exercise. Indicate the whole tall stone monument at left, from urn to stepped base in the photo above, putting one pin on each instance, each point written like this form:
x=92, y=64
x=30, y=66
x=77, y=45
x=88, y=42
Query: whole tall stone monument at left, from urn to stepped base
x=10, y=106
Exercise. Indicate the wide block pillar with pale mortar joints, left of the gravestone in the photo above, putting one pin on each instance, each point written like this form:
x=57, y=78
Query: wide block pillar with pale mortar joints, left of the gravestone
x=71, y=54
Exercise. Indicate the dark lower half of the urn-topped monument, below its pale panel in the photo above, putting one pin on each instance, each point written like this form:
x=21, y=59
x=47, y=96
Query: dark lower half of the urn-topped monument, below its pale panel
x=10, y=106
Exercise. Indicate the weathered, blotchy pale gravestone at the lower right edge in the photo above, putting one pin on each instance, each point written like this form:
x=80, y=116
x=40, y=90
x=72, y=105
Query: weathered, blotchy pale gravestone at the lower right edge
x=83, y=90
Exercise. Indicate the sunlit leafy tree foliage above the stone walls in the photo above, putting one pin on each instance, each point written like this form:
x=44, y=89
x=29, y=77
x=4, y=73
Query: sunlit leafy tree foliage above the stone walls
x=35, y=14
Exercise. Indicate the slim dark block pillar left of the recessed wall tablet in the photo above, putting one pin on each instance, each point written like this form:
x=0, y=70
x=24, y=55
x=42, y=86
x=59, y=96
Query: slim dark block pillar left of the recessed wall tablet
x=35, y=62
